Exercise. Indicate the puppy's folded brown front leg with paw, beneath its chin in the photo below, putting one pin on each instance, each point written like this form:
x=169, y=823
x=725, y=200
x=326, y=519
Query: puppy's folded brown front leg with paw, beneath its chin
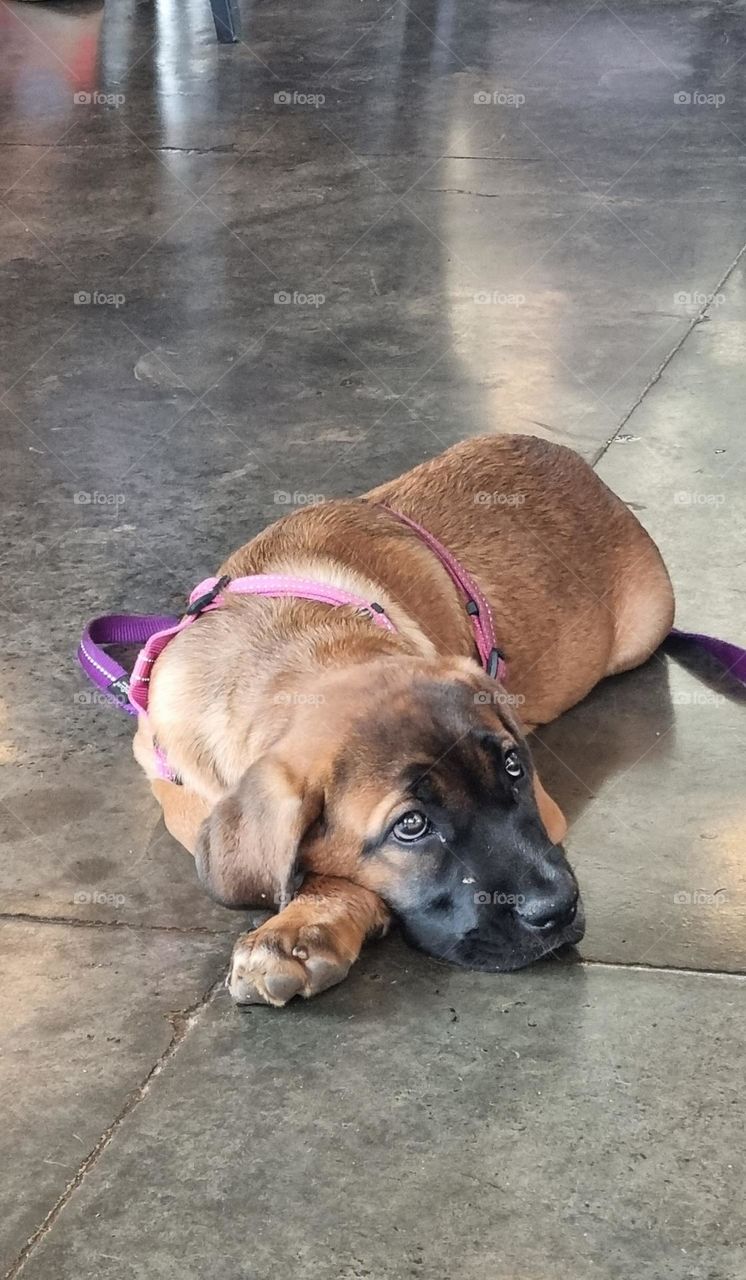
x=309, y=947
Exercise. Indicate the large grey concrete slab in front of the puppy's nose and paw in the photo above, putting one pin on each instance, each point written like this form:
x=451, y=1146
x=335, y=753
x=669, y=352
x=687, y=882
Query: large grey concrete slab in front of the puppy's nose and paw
x=423, y=1122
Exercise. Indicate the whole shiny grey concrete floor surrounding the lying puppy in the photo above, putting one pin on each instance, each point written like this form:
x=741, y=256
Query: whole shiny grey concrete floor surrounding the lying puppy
x=573, y=1122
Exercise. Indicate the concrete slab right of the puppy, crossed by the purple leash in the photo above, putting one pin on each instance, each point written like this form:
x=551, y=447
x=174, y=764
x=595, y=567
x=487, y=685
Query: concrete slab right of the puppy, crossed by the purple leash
x=649, y=764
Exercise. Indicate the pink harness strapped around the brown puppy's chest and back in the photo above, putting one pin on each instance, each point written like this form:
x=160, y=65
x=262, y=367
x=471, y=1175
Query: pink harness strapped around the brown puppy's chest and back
x=132, y=693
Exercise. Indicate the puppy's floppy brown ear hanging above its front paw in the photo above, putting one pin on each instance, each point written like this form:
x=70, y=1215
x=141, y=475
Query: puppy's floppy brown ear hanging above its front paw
x=248, y=849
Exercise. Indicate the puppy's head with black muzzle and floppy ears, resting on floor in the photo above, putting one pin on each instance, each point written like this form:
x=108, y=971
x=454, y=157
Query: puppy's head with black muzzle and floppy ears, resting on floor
x=414, y=779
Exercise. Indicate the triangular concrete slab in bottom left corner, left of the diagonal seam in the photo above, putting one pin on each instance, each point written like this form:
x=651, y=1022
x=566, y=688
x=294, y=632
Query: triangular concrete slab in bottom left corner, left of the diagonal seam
x=86, y=1016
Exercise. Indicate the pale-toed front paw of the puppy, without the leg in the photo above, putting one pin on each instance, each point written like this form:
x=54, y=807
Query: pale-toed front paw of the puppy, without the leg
x=286, y=959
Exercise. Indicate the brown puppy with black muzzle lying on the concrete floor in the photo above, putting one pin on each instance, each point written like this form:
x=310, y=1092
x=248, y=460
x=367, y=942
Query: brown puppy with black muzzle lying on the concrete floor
x=386, y=770
